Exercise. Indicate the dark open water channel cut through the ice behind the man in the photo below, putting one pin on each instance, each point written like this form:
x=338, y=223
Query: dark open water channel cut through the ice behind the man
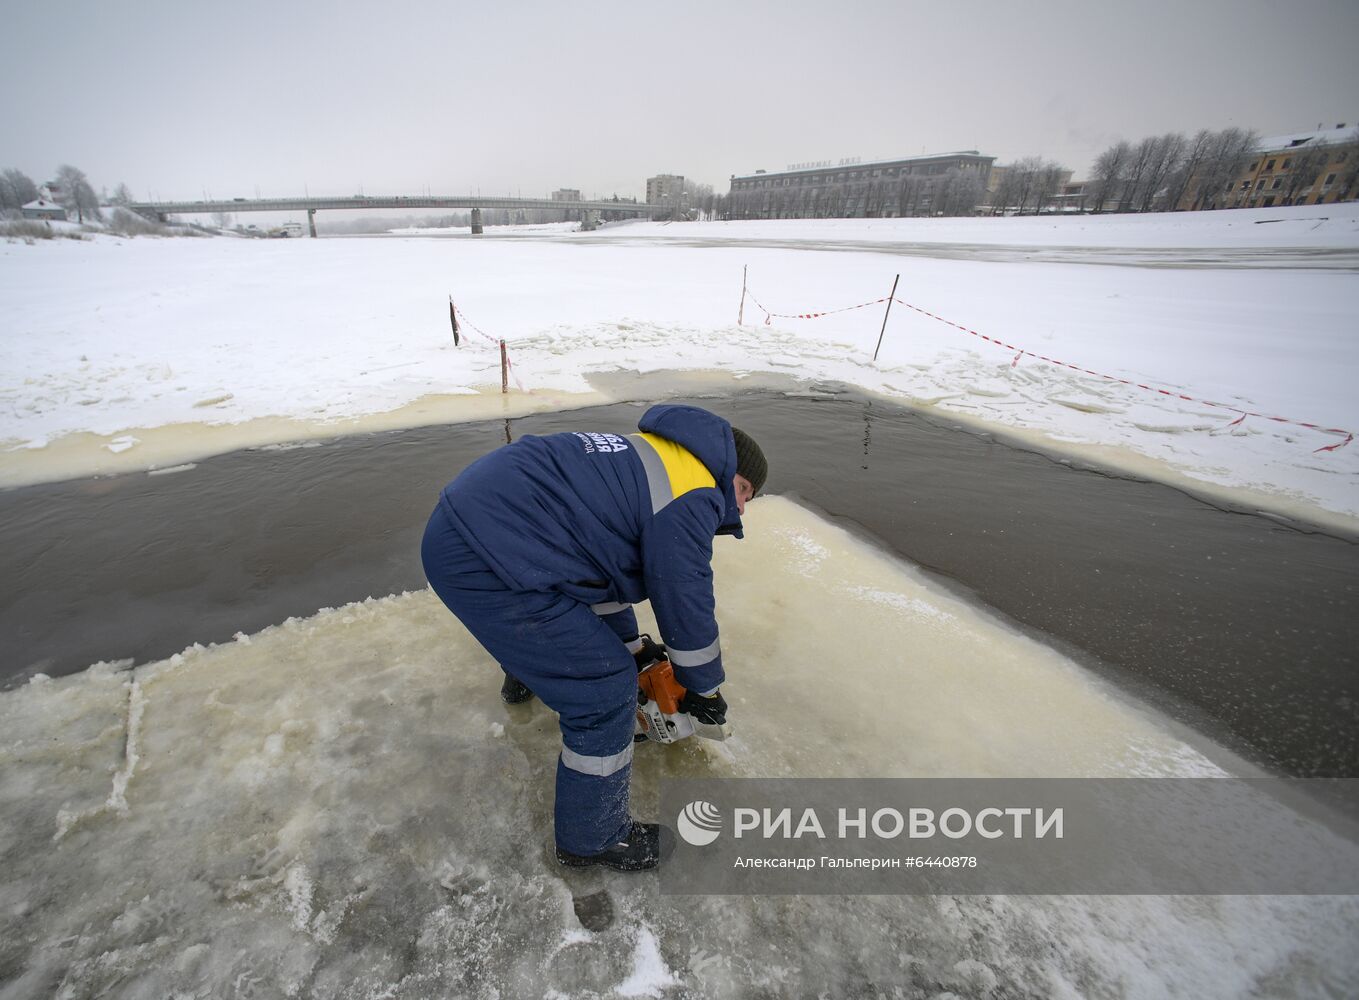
x=1241, y=626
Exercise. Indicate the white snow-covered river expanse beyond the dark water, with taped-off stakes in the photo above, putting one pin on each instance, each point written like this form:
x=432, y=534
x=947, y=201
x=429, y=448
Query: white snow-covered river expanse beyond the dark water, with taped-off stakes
x=133, y=354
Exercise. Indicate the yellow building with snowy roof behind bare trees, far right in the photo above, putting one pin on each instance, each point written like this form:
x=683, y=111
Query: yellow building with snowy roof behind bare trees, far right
x=1311, y=168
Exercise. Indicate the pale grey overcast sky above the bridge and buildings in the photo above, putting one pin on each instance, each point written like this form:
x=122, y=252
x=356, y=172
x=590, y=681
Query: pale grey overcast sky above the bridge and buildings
x=183, y=100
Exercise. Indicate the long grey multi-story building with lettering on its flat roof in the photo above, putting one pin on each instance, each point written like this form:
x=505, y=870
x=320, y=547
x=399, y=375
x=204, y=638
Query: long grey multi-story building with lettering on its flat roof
x=944, y=184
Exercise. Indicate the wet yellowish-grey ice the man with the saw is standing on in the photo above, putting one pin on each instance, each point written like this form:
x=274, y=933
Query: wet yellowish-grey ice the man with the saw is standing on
x=342, y=808
